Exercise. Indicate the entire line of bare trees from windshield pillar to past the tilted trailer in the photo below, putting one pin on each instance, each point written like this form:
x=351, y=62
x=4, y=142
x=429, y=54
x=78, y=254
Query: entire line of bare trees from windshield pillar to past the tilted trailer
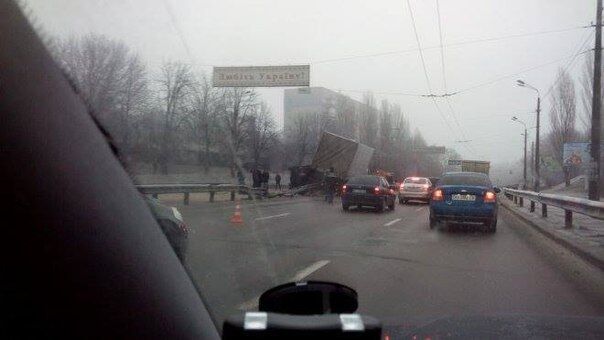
x=173, y=115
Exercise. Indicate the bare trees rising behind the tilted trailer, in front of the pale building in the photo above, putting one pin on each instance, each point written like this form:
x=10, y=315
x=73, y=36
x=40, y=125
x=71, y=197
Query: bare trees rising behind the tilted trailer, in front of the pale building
x=384, y=127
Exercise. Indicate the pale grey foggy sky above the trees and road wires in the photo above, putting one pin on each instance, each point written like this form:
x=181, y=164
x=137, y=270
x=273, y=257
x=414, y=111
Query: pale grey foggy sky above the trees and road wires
x=222, y=32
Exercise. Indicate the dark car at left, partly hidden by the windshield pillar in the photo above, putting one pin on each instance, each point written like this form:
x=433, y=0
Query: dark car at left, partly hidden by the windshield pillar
x=172, y=224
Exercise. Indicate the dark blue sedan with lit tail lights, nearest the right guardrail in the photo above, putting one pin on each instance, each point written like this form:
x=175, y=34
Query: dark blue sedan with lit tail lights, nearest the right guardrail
x=464, y=198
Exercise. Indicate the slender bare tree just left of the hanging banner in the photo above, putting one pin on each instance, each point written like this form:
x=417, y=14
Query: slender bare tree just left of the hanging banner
x=175, y=85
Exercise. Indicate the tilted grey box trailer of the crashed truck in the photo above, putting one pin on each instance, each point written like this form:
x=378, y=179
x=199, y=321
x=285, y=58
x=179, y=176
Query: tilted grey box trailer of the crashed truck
x=347, y=157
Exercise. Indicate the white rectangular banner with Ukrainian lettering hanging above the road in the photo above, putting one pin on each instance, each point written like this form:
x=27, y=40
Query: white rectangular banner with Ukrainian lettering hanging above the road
x=261, y=76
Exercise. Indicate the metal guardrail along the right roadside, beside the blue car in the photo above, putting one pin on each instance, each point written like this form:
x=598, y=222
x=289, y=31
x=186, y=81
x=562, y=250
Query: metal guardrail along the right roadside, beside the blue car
x=570, y=204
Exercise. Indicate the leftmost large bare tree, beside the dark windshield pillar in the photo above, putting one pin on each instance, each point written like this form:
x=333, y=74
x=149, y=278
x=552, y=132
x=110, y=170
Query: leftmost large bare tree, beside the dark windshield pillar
x=110, y=78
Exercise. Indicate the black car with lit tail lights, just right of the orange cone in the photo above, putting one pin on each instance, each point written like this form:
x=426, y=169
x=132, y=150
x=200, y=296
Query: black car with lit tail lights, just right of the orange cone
x=368, y=191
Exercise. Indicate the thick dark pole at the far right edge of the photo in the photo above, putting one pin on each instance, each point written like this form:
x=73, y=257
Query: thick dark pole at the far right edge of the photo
x=594, y=166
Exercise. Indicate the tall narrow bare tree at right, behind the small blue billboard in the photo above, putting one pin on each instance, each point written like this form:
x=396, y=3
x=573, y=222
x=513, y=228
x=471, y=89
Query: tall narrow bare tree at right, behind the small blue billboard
x=563, y=114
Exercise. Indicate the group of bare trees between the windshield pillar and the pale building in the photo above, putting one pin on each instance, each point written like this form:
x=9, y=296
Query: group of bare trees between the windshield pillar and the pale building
x=167, y=115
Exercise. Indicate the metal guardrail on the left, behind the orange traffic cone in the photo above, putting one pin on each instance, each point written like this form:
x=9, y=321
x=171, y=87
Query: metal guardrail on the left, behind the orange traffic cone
x=186, y=189
